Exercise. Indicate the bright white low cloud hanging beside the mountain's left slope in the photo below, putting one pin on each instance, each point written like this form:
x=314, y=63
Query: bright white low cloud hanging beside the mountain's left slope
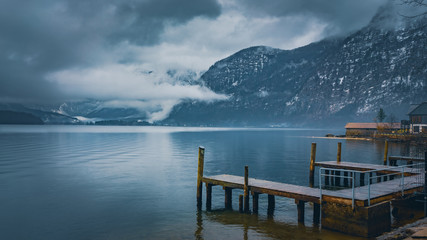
x=130, y=86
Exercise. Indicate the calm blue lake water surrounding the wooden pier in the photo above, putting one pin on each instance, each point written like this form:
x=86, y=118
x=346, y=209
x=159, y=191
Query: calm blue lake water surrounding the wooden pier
x=96, y=182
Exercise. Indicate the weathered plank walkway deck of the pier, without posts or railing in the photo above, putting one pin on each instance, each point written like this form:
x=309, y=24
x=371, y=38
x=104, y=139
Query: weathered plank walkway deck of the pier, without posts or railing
x=383, y=191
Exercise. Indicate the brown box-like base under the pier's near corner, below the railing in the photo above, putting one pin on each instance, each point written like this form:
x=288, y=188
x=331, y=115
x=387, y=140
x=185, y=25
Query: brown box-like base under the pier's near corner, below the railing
x=362, y=221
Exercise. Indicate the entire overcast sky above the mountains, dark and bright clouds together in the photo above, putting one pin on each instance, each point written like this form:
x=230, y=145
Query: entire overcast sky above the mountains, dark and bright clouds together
x=105, y=49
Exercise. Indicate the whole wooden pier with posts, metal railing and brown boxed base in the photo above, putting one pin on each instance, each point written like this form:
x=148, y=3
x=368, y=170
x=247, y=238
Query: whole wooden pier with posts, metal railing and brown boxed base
x=361, y=208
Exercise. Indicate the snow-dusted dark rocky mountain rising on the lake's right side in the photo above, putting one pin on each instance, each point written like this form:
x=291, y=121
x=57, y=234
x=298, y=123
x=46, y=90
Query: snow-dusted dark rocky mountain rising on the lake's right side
x=327, y=83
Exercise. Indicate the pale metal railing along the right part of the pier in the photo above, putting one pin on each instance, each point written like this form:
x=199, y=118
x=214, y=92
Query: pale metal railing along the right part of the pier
x=388, y=173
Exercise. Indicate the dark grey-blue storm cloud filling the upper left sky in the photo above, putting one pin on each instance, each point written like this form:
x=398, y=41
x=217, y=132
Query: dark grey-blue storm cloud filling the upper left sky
x=43, y=36
